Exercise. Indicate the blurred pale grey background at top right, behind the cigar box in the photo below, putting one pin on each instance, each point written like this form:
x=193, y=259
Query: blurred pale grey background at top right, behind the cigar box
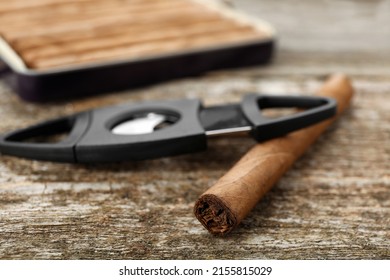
x=342, y=26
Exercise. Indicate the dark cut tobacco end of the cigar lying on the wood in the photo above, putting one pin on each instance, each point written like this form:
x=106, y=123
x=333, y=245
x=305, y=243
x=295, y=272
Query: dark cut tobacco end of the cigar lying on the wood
x=215, y=215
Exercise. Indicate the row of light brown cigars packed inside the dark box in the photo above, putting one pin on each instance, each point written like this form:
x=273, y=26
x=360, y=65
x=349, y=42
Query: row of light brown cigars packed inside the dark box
x=55, y=33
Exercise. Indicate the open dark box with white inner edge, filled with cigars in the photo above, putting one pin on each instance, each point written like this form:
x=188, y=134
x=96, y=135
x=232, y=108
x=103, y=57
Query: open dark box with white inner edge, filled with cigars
x=59, y=49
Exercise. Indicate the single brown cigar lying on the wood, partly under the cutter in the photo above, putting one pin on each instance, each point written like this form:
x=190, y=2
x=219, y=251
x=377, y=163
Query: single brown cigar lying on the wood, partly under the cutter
x=222, y=207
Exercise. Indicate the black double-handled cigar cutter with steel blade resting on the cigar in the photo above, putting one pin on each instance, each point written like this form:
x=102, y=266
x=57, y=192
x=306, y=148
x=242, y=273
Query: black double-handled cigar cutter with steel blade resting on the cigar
x=161, y=128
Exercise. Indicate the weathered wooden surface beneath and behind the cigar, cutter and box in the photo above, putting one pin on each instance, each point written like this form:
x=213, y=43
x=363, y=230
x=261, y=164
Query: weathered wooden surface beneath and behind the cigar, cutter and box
x=334, y=203
